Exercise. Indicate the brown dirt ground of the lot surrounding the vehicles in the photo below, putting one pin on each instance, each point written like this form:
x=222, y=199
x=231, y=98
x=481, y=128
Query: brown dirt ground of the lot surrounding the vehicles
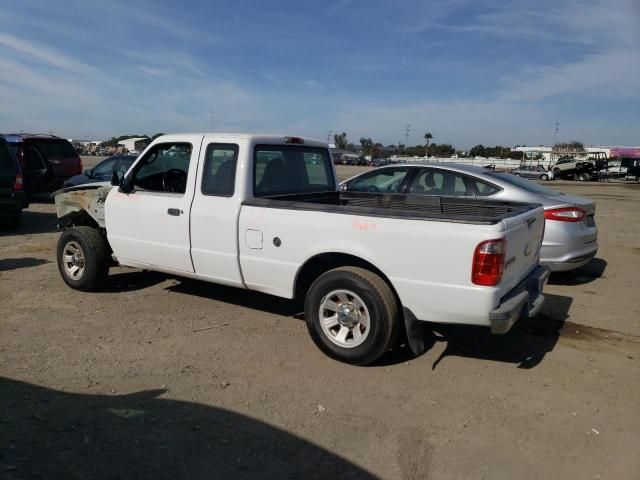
x=158, y=377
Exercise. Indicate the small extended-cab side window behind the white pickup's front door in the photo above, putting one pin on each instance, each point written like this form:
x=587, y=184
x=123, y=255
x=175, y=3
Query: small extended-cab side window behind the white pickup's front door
x=219, y=172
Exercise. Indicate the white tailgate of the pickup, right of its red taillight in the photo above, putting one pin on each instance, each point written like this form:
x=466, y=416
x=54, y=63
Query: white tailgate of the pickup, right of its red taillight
x=524, y=238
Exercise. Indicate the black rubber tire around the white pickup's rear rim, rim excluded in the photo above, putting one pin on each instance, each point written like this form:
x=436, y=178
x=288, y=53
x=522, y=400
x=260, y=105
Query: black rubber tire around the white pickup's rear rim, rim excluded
x=379, y=301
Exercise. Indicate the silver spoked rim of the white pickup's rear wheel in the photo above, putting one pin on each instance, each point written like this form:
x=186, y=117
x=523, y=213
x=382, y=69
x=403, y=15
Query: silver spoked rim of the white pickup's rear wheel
x=344, y=318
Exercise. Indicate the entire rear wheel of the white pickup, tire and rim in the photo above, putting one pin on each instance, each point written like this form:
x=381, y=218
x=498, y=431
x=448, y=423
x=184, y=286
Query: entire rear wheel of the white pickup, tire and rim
x=351, y=315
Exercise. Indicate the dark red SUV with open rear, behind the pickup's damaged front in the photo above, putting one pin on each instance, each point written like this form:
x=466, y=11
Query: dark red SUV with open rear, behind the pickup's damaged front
x=46, y=160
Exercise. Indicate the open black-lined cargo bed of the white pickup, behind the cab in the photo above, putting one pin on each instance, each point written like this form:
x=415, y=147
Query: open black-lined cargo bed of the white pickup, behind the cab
x=434, y=208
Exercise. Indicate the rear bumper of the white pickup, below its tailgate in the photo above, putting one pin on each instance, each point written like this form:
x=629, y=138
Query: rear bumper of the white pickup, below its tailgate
x=524, y=301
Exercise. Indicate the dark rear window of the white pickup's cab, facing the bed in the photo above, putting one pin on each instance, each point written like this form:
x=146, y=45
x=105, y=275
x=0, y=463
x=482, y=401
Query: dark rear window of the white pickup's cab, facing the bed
x=282, y=169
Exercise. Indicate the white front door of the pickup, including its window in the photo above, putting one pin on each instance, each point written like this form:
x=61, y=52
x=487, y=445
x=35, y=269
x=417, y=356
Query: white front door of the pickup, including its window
x=149, y=226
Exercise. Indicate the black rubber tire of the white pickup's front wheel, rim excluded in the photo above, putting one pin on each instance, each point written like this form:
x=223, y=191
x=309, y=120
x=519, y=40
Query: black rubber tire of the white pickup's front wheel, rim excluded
x=94, y=249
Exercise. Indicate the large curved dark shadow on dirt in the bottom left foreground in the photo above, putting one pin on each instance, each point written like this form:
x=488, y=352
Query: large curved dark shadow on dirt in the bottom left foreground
x=51, y=434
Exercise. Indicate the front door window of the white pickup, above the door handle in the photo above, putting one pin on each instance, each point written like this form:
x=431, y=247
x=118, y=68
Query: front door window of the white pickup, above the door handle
x=164, y=168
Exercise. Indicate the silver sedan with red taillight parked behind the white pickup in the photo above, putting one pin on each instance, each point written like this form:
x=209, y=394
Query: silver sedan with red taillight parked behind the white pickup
x=571, y=236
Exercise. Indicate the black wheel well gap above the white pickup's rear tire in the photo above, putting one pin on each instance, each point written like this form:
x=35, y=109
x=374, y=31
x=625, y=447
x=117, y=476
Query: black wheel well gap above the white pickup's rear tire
x=316, y=266
